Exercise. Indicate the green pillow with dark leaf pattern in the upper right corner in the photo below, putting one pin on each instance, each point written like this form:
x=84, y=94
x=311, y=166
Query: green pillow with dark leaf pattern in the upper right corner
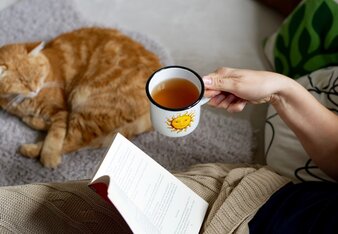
x=307, y=40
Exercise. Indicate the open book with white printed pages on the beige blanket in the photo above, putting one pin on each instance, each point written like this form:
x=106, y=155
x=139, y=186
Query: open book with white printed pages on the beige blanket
x=149, y=198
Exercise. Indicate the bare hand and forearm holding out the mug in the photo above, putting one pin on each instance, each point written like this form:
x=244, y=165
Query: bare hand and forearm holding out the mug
x=314, y=125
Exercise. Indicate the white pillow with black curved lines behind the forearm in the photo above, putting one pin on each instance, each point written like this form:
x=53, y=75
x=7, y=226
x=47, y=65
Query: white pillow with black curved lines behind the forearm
x=284, y=153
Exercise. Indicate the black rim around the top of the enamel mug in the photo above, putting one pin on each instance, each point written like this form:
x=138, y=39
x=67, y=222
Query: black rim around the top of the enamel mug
x=175, y=109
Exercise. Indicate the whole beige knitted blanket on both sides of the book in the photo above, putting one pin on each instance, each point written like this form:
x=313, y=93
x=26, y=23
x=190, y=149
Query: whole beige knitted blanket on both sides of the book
x=234, y=194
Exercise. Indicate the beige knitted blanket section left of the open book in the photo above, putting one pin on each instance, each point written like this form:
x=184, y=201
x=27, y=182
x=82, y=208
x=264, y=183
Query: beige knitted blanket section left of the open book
x=57, y=208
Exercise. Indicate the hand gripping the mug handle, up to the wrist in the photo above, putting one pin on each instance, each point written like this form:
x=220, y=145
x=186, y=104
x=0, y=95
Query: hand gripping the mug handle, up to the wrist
x=232, y=88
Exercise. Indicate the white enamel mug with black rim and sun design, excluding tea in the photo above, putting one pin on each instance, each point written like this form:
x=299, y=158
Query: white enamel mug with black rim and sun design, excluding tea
x=175, y=122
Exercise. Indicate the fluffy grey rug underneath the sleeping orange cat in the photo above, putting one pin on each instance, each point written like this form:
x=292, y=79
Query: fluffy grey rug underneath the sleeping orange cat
x=217, y=139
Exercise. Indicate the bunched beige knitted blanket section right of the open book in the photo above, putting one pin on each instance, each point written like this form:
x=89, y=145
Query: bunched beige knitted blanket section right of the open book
x=234, y=193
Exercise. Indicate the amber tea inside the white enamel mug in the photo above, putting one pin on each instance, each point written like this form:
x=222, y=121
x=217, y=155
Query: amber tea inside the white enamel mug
x=175, y=93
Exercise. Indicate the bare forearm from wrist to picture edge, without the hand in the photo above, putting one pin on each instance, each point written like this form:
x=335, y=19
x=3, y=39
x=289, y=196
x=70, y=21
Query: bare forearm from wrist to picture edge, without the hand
x=315, y=126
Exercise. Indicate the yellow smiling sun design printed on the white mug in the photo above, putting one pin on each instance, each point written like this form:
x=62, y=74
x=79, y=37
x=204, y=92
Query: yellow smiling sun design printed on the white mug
x=181, y=122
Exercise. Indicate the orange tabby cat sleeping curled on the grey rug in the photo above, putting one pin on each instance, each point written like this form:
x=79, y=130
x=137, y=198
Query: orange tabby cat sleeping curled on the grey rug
x=81, y=87
